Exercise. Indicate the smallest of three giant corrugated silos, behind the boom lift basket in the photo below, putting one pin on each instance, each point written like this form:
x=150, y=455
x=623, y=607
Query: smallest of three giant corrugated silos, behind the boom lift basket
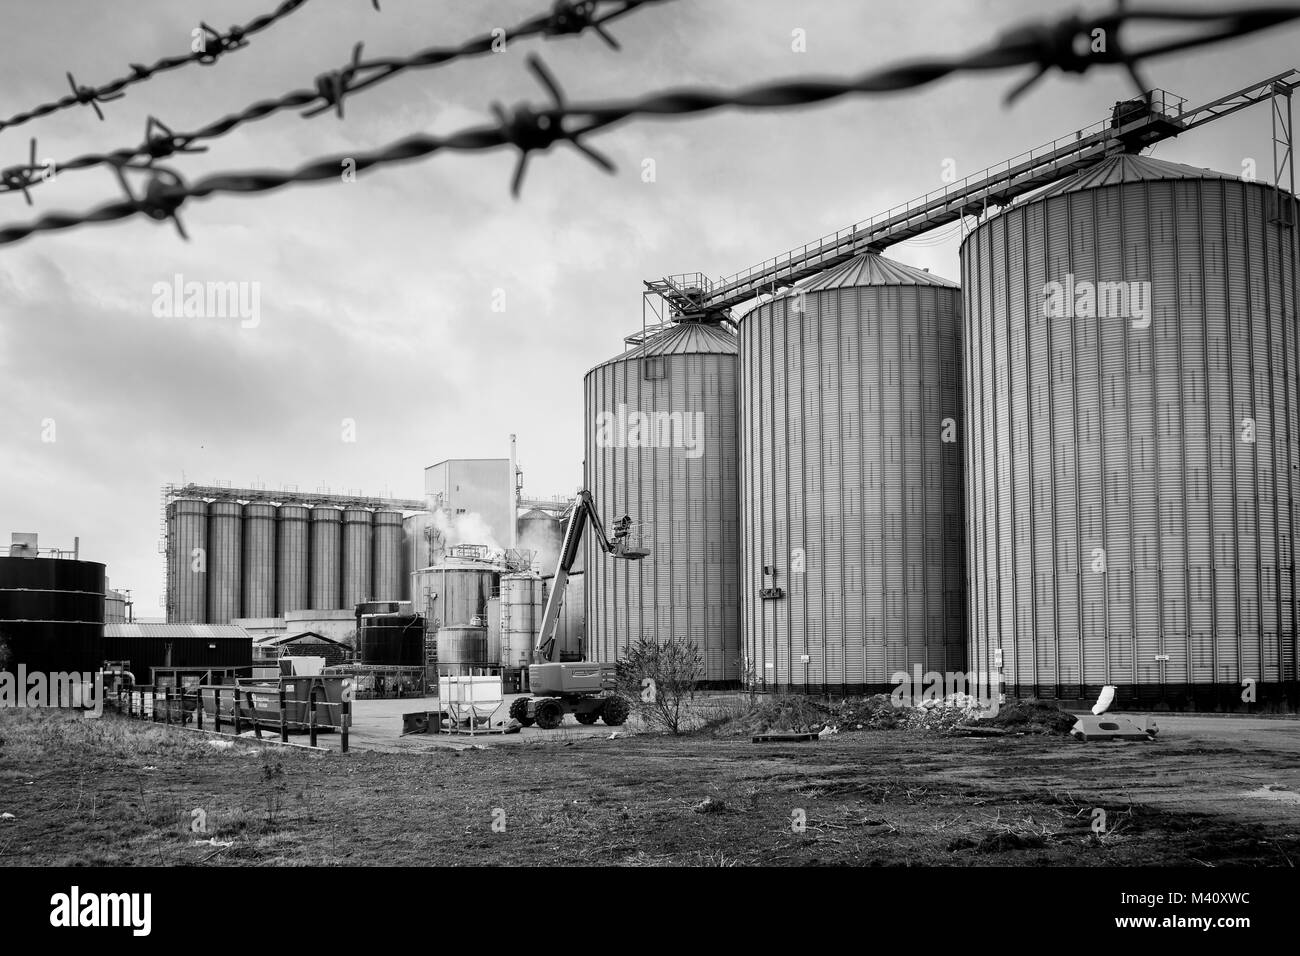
x=661, y=447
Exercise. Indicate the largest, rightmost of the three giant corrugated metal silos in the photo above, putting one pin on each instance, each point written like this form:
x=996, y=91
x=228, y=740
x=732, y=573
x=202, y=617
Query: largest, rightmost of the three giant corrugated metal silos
x=1132, y=448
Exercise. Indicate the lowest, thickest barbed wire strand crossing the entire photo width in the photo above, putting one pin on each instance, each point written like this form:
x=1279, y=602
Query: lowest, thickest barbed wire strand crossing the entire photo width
x=528, y=129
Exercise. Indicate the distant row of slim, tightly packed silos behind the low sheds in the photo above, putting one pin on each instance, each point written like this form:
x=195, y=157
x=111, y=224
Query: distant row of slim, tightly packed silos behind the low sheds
x=229, y=561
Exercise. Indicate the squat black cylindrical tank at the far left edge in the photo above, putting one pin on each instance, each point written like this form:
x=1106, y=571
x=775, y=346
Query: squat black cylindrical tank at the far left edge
x=53, y=615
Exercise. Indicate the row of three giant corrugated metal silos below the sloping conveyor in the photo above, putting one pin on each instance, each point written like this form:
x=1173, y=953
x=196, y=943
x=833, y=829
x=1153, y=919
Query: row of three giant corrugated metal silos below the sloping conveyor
x=943, y=479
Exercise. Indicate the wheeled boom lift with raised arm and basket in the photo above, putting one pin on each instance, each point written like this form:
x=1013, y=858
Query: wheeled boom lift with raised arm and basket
x=583, y=689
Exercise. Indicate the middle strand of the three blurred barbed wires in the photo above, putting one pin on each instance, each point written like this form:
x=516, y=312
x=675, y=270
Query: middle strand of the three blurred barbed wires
x=566, y=18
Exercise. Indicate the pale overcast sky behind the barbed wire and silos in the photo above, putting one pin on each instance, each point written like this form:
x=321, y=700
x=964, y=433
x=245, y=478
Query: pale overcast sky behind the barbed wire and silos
x=376, y=297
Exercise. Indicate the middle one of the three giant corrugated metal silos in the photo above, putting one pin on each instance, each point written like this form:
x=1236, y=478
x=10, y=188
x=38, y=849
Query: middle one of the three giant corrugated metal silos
x=853, y=559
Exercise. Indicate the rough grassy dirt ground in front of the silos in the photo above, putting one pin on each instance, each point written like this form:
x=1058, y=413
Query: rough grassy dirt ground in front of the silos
x=1210, y=791
